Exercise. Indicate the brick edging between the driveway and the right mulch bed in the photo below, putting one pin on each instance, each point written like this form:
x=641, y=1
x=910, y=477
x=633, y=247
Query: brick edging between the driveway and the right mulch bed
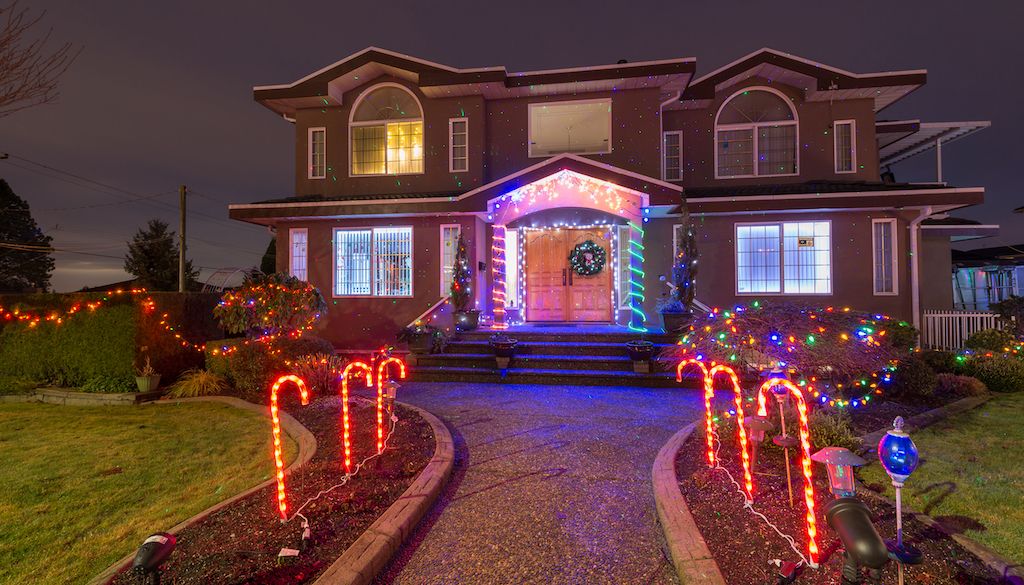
x=691, y=556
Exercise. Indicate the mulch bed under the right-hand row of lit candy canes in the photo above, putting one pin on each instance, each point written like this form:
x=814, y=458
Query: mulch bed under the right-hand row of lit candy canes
x=743, y=545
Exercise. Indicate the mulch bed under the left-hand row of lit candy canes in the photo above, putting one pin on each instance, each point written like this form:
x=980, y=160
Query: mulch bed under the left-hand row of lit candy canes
x=241, y=545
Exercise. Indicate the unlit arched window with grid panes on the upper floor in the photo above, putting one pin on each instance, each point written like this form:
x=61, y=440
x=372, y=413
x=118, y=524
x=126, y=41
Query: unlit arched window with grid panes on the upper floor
x=756, y=136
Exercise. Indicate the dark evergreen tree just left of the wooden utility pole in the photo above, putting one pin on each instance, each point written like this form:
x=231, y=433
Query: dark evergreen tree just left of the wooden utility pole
x=153, y=259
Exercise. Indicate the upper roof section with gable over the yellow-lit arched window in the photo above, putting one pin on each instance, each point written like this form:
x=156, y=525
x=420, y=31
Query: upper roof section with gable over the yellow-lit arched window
x=328, y=86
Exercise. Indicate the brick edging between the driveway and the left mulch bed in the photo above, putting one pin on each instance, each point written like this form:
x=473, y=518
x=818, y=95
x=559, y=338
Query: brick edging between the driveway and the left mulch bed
x=367, y=557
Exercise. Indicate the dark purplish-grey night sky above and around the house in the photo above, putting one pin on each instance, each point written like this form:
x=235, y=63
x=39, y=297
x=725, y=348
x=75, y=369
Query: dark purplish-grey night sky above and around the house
x=162, y=95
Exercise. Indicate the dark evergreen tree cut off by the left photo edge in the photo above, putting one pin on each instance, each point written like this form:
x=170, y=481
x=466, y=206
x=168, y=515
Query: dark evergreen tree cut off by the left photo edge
x=25, y=260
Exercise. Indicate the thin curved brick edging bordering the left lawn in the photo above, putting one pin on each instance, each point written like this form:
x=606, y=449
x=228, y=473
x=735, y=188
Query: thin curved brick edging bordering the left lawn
x=307, y=444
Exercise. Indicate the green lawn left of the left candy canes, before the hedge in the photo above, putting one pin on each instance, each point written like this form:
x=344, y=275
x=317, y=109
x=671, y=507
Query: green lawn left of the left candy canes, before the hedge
x=84, y=486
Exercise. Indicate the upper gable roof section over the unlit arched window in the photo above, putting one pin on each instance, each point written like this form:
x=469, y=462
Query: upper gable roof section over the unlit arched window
x=820, y=81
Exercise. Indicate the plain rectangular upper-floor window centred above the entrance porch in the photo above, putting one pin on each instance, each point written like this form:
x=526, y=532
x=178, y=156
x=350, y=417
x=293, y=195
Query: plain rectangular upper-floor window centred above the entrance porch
x=581, y=128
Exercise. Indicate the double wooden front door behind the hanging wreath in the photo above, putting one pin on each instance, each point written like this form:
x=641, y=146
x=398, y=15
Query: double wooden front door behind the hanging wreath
x=554, y=290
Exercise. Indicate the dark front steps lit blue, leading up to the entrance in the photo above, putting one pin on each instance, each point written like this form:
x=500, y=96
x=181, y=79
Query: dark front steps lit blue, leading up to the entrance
x=564, y=356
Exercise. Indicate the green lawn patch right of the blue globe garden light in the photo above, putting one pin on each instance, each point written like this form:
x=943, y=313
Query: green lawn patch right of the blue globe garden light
x=972, y=470
